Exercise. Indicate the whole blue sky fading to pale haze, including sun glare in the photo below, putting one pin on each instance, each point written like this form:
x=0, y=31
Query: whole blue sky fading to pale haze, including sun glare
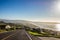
x=35, y=10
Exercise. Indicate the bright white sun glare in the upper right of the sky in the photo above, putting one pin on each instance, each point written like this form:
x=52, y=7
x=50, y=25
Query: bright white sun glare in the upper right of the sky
x=56, y=7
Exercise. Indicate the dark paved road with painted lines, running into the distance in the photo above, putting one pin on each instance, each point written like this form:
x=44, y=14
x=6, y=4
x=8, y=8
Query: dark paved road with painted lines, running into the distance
x=17, y=35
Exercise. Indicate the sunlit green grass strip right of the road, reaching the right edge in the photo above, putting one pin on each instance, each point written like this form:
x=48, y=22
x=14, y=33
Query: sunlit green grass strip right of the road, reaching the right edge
x=44, y=34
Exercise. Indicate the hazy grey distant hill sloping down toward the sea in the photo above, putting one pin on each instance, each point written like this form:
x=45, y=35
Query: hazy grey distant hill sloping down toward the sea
x=24, y=22
